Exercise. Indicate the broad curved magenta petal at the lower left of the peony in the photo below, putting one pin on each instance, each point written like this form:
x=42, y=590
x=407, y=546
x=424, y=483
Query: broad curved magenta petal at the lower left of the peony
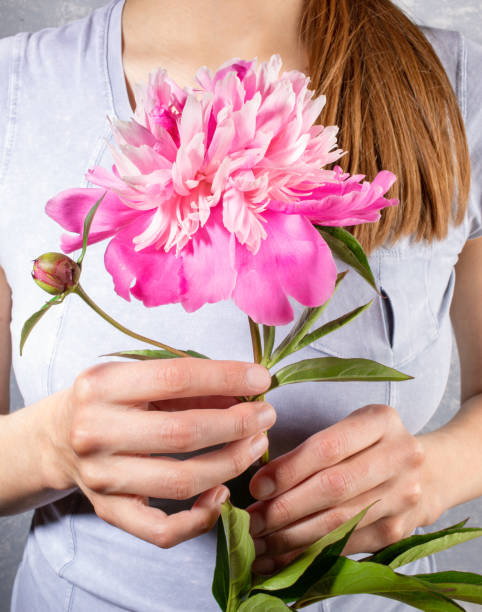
x=156, y=273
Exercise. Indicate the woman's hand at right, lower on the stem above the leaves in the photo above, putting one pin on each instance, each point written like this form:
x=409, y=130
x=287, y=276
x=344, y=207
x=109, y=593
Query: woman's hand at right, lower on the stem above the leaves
x=332, y=476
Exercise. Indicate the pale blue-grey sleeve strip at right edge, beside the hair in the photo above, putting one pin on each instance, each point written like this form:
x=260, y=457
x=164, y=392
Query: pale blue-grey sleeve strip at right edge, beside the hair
x=471, y=103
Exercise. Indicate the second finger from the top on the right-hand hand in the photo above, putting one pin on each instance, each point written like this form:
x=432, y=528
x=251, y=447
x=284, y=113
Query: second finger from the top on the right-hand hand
x=326, y=489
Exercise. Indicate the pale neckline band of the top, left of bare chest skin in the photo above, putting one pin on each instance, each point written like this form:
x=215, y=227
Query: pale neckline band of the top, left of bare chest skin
x=115, y=69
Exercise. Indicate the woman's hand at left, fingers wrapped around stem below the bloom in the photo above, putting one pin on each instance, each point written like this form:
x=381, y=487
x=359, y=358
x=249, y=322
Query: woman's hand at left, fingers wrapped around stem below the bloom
x=116, y=415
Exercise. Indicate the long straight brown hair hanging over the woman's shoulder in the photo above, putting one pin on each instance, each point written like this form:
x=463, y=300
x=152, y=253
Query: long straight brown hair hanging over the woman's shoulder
x=396, y=109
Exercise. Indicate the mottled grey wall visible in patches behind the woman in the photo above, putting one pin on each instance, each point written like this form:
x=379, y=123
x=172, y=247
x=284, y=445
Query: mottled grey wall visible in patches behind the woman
x=466, y=16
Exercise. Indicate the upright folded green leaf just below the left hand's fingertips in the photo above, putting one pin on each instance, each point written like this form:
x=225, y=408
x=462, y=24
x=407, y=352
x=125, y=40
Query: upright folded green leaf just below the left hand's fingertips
x=238, y=555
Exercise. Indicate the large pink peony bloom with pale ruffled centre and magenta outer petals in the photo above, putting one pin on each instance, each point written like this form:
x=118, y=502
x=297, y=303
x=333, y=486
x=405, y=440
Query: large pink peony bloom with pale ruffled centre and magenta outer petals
x=214, y=191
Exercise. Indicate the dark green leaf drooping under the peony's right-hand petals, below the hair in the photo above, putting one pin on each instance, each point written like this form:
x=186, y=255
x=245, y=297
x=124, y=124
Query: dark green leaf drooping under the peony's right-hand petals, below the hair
x=347, y=248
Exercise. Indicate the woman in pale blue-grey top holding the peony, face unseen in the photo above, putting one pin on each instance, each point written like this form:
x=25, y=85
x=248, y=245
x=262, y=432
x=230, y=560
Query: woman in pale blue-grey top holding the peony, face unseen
x=89, y=426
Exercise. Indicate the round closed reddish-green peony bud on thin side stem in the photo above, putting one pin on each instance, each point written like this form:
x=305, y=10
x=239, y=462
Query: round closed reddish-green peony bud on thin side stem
x=55, y=273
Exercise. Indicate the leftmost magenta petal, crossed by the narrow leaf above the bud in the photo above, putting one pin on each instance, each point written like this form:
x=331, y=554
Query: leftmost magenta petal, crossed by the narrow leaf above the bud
x=70, y=207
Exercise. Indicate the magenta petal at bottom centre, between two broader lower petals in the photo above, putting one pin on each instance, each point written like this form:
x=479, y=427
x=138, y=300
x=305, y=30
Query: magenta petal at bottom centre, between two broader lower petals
x=208, y=265
